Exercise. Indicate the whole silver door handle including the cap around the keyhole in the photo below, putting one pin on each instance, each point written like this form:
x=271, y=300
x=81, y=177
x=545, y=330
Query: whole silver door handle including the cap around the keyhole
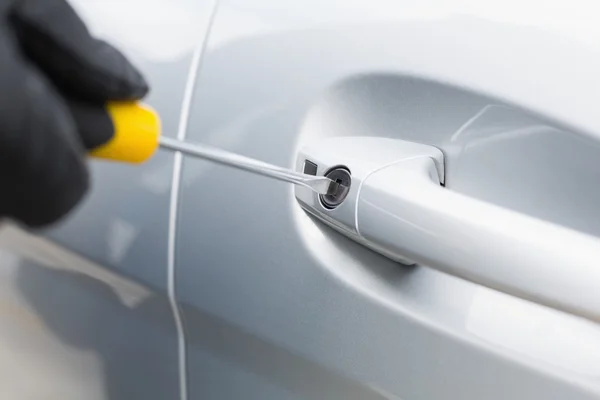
x=397, y=205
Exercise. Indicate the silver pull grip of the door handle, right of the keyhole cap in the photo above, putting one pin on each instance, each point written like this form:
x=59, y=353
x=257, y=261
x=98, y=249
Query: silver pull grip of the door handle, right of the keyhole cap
x=401, y=210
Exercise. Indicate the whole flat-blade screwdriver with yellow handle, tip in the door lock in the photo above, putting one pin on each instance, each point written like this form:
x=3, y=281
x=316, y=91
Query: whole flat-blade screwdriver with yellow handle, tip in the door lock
x=138, y=135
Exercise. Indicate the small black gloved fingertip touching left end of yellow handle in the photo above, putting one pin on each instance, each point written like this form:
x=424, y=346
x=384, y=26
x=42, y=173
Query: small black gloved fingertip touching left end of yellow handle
x=94, y=124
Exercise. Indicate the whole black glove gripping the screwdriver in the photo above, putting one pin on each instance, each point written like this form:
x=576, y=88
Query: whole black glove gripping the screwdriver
x=54, y=81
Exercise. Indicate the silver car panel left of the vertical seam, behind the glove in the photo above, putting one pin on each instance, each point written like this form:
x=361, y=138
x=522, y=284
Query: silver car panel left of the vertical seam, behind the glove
x=84, y=308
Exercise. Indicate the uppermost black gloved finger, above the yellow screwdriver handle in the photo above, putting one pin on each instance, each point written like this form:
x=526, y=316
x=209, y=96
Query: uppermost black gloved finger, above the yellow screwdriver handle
x=56, y=39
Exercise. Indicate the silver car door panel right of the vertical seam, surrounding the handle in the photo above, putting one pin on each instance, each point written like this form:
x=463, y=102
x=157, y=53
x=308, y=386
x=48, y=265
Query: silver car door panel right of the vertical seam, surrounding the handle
x=279, y=306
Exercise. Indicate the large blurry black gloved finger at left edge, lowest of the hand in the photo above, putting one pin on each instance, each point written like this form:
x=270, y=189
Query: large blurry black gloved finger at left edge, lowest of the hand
x=42, y=171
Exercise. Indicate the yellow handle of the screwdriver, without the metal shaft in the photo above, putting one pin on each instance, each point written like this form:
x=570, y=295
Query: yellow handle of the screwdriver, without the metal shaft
x=137, y=133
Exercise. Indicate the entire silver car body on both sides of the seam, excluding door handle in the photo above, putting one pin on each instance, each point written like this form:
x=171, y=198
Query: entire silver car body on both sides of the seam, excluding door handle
x=183, y=279
